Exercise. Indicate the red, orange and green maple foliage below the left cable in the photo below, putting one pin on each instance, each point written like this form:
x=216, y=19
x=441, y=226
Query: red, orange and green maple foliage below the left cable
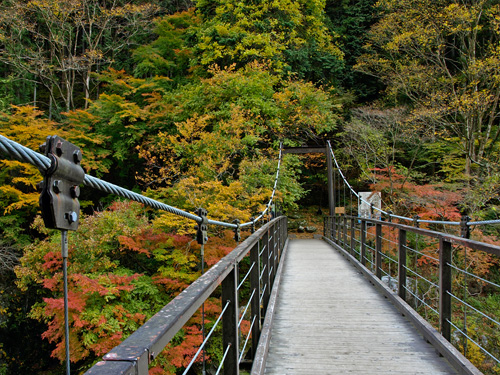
x=121, y=271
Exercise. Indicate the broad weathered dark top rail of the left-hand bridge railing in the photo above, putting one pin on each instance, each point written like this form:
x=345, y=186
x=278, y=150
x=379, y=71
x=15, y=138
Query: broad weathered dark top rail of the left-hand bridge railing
x=150, y=339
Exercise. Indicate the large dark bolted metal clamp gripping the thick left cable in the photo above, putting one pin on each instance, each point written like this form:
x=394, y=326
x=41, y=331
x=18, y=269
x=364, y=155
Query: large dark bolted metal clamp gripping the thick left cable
x=60, y=187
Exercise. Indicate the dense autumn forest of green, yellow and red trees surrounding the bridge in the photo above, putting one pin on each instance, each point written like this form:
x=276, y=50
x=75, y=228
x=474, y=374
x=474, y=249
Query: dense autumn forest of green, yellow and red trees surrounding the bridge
x=188, y=102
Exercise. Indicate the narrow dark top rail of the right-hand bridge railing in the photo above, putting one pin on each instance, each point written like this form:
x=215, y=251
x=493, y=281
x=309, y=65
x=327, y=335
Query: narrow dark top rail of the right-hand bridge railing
x=475, y=245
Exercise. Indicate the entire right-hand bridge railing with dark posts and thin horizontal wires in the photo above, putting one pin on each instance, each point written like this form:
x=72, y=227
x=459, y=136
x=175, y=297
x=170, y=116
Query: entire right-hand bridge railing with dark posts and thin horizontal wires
x=432, y=272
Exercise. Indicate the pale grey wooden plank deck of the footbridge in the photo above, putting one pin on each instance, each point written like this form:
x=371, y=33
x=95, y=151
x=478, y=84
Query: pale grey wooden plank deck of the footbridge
x=343, y=327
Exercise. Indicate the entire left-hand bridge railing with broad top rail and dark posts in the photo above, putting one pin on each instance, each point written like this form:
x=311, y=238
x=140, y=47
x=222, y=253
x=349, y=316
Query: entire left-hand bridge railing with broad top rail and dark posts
x=264, y=248
